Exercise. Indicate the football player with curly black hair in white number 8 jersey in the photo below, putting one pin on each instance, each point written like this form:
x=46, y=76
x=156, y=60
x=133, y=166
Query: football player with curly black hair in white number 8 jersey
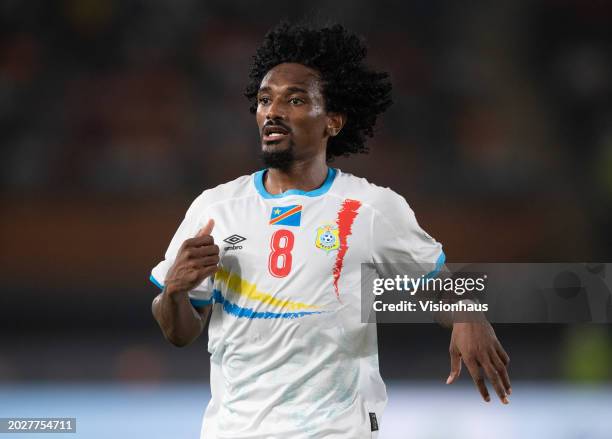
x=289, y=355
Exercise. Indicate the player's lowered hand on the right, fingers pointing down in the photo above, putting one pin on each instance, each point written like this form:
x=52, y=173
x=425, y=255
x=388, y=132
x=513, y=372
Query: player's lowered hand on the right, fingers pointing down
x=478, y=347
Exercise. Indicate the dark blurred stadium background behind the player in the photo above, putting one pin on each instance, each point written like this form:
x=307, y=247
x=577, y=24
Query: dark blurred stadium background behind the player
x=115, y=115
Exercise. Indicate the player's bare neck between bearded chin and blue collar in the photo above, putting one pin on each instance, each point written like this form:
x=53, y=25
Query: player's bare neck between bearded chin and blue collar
x=306, y=175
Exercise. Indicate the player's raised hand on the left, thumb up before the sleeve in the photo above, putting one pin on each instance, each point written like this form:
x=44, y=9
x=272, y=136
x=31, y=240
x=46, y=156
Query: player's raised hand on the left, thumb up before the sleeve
x=196, y=260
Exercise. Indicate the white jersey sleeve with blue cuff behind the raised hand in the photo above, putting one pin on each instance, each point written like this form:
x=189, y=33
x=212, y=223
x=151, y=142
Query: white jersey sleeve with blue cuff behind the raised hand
x=191, y=224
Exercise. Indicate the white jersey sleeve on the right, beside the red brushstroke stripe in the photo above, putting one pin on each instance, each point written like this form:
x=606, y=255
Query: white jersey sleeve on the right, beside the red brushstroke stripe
x=400, y=243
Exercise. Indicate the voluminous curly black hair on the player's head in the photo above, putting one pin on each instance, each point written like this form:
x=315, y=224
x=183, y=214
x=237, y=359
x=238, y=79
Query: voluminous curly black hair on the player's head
x=349, y=87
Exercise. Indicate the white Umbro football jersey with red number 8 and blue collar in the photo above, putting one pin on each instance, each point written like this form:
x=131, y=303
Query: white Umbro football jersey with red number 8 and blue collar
x=289, y=355
